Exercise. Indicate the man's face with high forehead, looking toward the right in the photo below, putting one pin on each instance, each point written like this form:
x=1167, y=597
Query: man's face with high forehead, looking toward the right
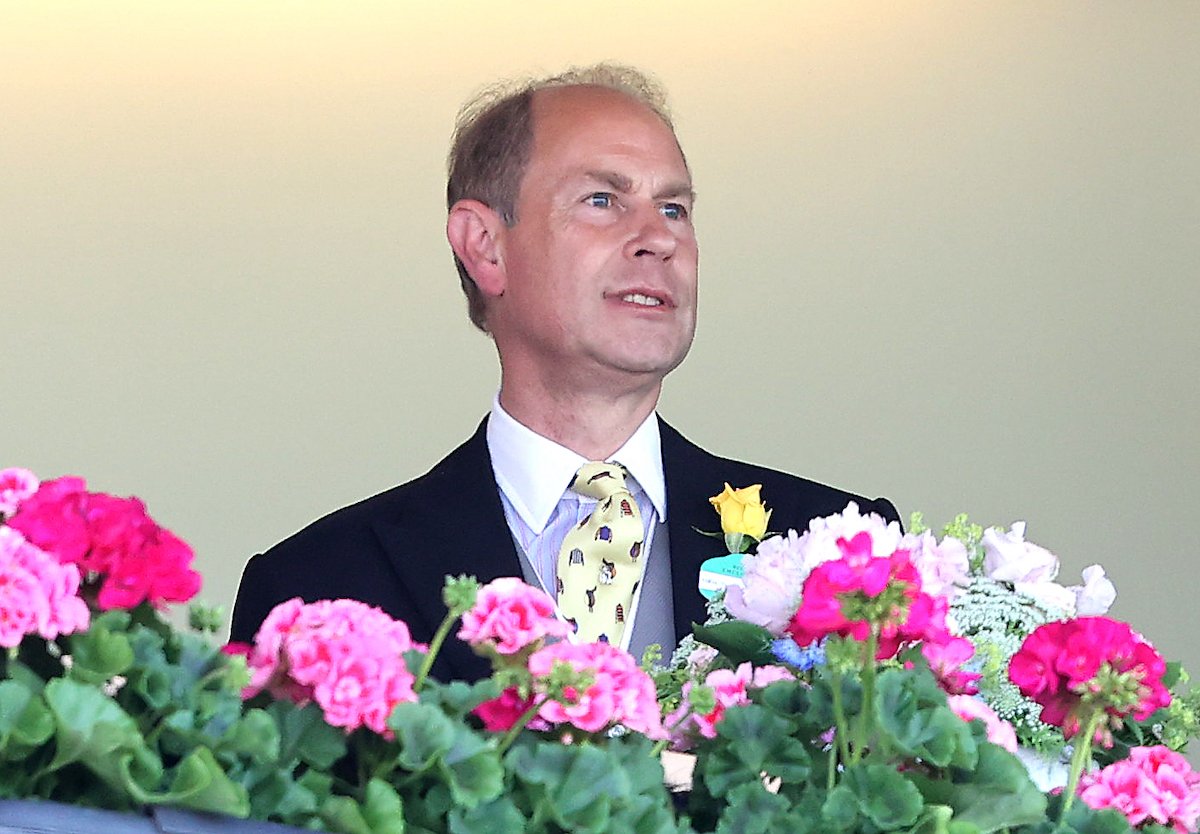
x=601, y=265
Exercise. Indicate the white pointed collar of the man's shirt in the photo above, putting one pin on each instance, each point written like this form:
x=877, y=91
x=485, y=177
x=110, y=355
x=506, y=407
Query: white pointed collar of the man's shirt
x=535, y=472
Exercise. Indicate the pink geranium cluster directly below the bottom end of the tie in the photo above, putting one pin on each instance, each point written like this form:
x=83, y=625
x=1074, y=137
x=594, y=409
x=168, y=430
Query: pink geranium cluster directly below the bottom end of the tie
x=621, y=693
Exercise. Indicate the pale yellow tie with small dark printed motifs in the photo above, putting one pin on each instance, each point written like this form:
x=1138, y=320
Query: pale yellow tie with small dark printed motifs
x=601, y=561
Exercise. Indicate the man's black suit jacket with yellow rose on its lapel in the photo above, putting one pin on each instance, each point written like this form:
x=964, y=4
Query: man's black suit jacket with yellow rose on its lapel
x=394, y=550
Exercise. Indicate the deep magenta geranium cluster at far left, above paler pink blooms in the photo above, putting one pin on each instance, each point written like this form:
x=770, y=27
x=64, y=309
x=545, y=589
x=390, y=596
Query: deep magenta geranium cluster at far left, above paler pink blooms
x=110, y=538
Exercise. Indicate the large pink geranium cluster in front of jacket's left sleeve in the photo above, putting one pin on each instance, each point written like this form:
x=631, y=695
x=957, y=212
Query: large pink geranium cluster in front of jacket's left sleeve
x=344, y=655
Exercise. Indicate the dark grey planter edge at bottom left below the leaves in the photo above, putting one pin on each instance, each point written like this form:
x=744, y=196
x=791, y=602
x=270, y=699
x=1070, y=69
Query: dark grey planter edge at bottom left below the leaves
x=22, y=817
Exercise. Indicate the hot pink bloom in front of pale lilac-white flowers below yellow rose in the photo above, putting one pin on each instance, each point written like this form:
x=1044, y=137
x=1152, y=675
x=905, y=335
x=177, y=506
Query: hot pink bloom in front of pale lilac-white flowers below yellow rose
x=862, y=593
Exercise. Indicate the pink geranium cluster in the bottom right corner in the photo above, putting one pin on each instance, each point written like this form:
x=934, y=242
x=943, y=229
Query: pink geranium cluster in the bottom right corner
x=1155, y=785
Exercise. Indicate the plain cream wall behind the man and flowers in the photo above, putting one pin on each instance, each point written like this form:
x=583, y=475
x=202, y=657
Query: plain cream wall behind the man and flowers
x=950, y=256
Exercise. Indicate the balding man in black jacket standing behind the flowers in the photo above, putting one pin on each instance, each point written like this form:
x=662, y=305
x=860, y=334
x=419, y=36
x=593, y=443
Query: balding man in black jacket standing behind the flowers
x=571, y=221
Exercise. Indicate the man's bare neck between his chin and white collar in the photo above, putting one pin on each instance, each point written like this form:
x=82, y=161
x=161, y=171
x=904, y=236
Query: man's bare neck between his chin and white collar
x=589, y=424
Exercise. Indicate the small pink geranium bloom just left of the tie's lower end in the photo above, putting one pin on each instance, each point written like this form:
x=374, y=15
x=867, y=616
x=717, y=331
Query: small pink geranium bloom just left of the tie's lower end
x=511, y=616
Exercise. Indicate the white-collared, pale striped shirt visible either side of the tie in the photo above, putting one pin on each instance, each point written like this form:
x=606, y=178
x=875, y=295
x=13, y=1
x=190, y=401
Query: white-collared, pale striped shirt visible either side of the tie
x=535, y=476
